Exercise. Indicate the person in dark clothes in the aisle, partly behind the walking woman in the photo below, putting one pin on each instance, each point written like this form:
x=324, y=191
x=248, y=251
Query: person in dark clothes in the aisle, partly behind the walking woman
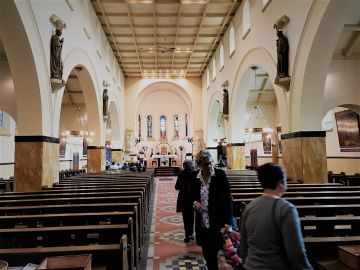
x=184, y=201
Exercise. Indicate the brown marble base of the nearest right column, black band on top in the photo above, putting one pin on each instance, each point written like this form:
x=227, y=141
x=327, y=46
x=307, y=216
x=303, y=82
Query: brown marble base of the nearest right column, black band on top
x=304, y=156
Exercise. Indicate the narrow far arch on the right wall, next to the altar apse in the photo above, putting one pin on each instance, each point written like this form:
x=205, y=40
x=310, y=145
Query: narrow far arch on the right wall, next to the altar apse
x=216, y=104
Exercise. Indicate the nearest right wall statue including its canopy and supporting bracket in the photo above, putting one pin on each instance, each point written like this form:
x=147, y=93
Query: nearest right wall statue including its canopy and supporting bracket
x=282, y=47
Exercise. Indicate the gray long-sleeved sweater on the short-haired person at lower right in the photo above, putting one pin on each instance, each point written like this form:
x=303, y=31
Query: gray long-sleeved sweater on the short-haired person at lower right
x=271, y=236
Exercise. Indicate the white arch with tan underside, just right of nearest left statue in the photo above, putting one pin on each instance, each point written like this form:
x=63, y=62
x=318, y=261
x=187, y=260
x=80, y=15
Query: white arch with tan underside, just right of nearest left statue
x=88, y=83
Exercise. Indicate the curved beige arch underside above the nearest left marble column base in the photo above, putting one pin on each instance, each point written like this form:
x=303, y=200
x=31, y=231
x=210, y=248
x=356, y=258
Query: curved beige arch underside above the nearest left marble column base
x=29, y=110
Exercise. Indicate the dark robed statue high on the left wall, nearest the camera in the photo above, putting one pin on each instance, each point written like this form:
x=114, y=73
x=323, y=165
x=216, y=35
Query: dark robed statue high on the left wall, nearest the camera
x=56, y=65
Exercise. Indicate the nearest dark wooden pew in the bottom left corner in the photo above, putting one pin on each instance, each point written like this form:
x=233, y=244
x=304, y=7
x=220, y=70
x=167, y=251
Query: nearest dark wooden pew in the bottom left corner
x=116, y=252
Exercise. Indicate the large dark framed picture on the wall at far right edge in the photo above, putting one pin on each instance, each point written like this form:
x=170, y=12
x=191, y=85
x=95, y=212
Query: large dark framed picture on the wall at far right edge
x=347, y=123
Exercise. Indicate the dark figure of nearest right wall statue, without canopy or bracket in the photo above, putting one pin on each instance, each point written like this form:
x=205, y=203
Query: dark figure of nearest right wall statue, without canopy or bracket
x=282, y=45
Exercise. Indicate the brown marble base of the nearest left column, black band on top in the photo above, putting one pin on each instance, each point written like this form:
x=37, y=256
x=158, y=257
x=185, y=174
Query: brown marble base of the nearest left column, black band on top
x=36, y=162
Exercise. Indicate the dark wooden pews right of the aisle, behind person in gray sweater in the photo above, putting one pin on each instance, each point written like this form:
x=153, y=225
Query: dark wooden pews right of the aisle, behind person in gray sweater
x=329, y=213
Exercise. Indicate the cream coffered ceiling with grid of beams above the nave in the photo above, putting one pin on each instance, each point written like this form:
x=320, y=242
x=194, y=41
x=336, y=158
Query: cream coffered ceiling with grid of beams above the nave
x=164, y=38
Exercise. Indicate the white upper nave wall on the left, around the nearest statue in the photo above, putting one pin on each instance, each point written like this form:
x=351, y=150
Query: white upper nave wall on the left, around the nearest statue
x=83, y=31
